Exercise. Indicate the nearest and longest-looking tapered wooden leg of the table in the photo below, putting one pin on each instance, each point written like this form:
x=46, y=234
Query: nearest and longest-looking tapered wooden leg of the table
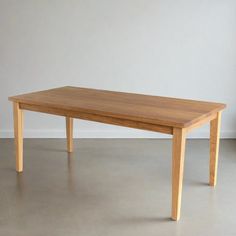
x=179, y=140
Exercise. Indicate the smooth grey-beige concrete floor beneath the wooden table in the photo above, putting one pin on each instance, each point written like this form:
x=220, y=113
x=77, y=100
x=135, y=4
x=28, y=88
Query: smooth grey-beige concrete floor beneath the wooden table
x=114, y=187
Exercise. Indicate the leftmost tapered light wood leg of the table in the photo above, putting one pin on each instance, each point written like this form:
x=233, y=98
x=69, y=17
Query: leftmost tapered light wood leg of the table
x=18, y=130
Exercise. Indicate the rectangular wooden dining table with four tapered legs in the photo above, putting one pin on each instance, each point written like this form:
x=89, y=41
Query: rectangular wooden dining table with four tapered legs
x=160, y=114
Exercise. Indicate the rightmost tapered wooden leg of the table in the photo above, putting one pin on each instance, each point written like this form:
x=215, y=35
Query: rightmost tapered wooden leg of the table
x=214, y=148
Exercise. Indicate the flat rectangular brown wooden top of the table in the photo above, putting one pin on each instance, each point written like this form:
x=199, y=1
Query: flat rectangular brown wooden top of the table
x=157, y=110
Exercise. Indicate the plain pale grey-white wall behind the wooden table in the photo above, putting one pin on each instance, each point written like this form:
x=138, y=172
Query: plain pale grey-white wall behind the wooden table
x=180, y=48
